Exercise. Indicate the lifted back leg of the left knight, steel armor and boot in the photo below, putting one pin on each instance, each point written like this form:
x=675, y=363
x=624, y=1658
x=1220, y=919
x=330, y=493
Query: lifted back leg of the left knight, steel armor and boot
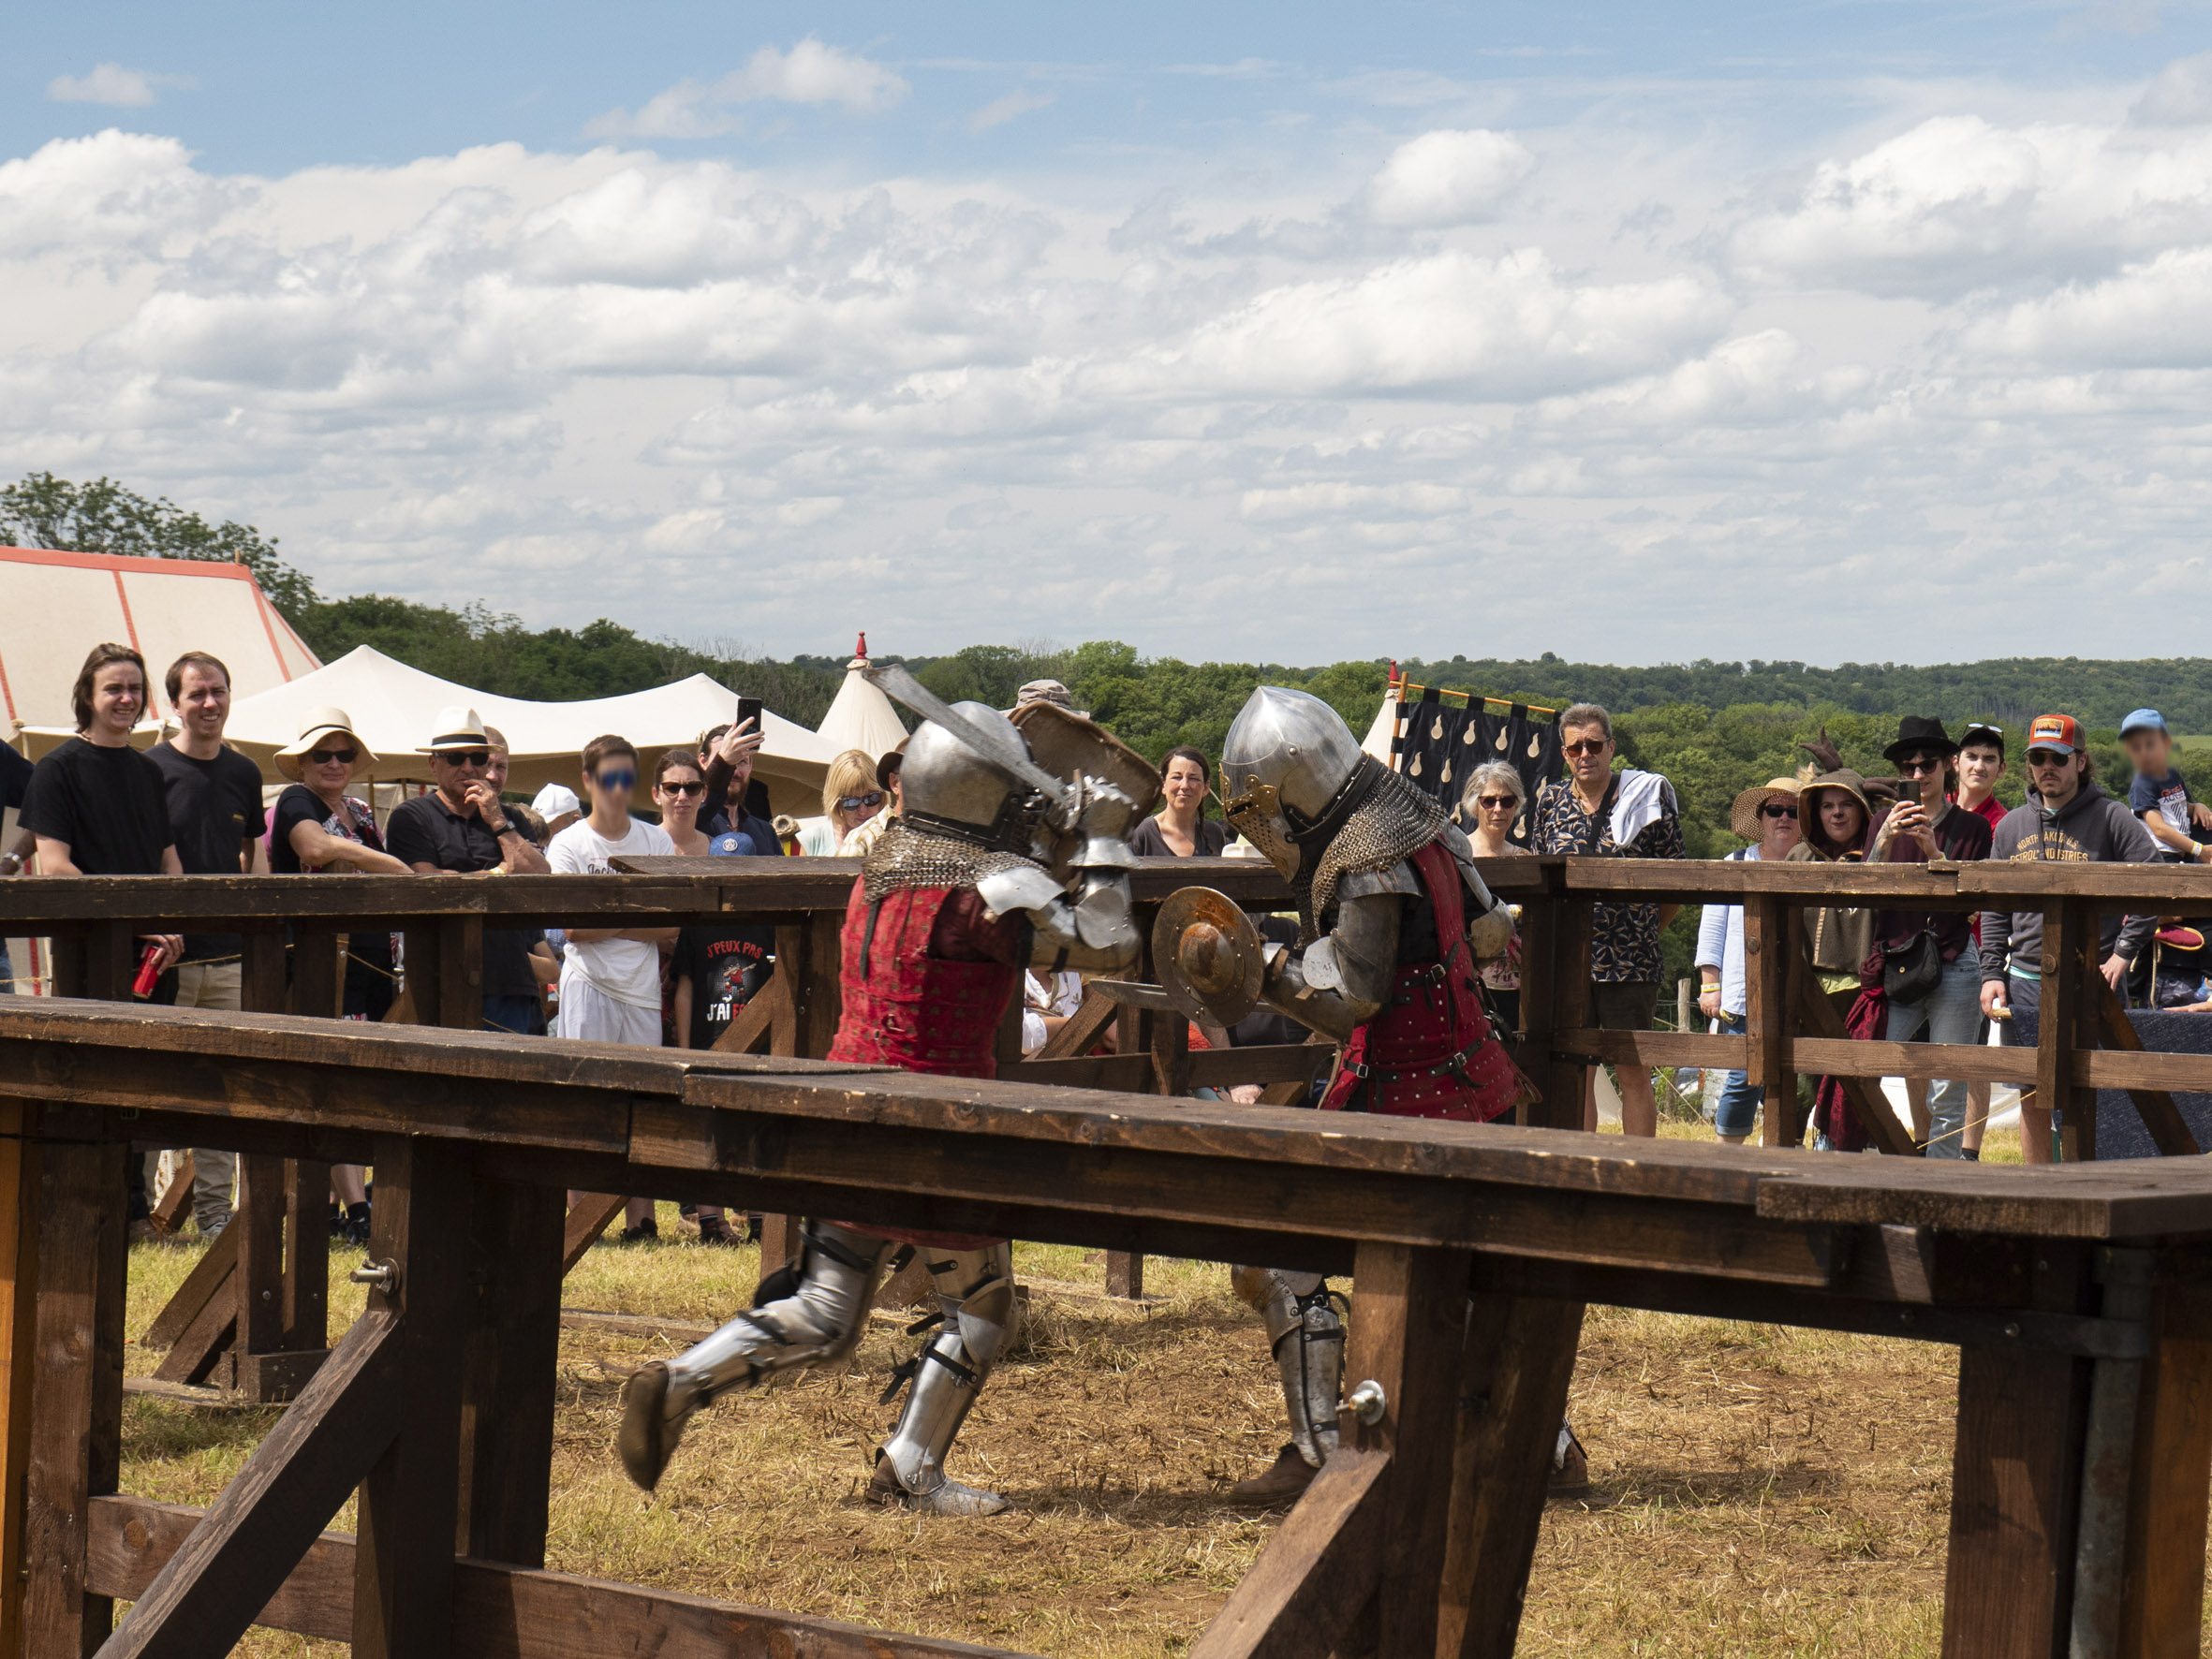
x=811, y=1317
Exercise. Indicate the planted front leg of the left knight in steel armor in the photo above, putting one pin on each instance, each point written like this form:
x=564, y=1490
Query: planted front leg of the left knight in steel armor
x=977, y=1304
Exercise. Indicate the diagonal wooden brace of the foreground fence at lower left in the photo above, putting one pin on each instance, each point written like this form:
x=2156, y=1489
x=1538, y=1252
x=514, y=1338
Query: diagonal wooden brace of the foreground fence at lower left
x=220, y=1578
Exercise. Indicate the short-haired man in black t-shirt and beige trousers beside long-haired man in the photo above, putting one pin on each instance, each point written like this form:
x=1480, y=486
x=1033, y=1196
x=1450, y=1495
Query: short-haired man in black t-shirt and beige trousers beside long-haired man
x=216, y=820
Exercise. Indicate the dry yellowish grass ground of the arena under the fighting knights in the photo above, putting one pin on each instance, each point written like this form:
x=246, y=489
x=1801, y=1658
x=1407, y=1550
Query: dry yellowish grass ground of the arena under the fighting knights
x=1755, y=1490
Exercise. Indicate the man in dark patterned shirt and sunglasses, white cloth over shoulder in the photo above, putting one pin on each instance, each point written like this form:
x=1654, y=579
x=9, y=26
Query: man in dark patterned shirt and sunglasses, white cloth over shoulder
x=1605, y=815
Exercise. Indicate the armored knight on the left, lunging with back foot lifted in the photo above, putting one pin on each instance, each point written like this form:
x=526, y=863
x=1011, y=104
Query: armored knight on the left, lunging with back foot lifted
x=981, y=877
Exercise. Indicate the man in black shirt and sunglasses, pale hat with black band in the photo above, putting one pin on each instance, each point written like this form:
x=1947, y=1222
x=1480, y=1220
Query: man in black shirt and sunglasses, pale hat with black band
x=461, y=828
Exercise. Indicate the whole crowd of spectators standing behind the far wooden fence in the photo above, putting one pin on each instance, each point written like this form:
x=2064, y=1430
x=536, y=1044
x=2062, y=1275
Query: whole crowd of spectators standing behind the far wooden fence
x=194, y=806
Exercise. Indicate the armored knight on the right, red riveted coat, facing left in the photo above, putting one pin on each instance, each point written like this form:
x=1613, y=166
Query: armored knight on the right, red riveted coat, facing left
x=1392, y=921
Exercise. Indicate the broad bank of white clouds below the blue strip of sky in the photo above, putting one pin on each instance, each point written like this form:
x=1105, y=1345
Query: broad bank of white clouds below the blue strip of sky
x=1246, y=417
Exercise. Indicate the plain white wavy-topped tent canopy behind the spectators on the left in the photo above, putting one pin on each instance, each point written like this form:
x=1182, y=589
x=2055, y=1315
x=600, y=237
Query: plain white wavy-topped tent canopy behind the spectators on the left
x=397, y=707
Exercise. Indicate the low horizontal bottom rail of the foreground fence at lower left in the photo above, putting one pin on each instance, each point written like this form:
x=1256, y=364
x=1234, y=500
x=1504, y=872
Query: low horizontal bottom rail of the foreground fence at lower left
x=505, y=1611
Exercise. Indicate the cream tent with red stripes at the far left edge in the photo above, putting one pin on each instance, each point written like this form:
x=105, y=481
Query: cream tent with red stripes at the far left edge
x=56, y=607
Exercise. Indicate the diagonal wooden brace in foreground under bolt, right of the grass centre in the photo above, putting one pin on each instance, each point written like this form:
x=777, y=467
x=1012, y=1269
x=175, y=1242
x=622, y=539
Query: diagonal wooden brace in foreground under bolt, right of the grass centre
x=1317, y=1572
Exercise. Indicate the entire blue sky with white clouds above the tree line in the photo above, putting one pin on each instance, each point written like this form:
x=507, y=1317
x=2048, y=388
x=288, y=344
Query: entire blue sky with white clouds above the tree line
x=1636, y=333
